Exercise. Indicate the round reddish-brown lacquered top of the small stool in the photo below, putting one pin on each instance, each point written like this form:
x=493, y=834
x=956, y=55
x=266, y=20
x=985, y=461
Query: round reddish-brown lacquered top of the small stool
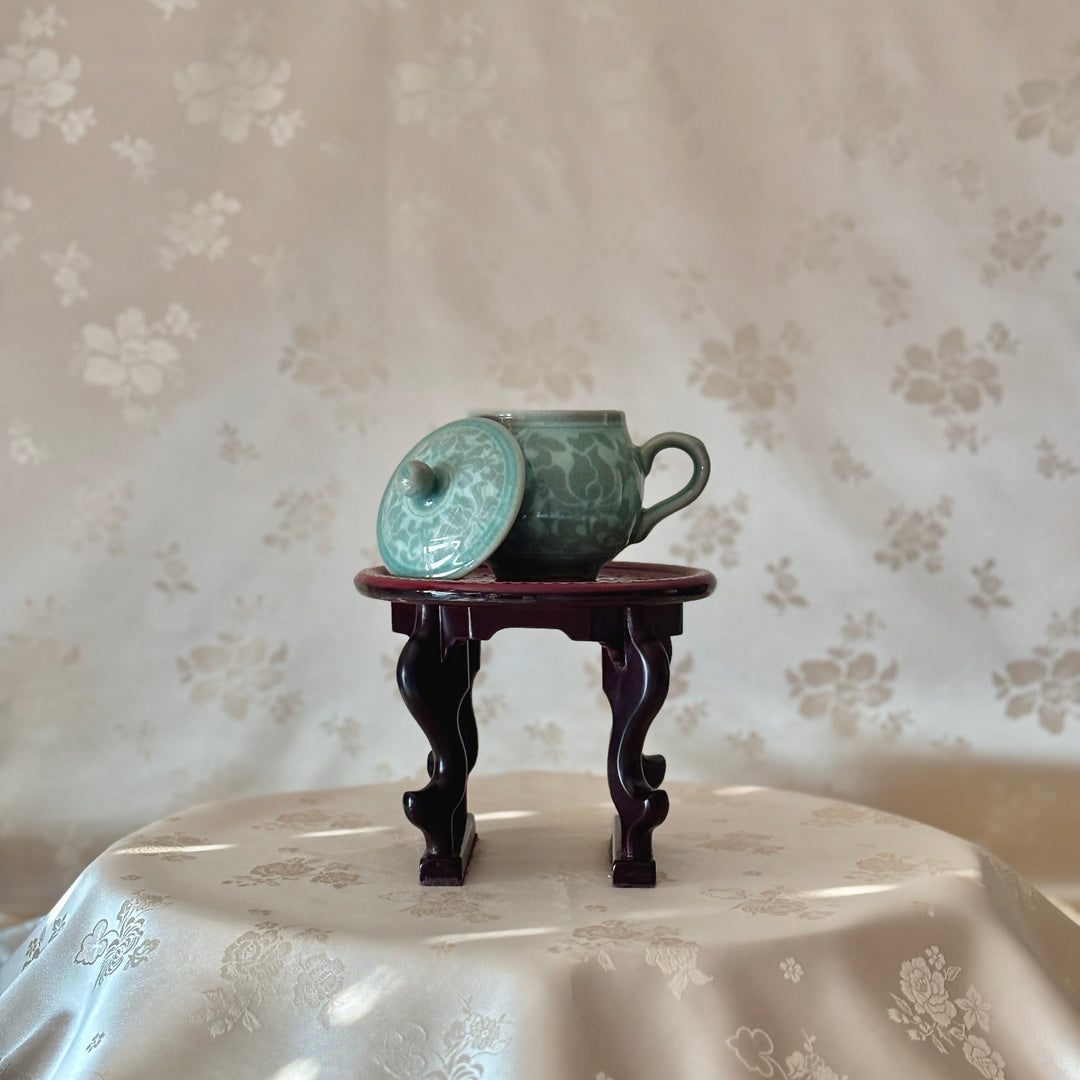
x=618, y=584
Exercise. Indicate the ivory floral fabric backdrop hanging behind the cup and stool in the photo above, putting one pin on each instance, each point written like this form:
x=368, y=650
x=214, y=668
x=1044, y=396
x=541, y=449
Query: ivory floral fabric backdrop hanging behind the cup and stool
x=250, y=253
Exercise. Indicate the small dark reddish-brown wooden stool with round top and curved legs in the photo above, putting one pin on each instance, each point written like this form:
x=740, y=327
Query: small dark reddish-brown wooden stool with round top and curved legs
x=633, y=610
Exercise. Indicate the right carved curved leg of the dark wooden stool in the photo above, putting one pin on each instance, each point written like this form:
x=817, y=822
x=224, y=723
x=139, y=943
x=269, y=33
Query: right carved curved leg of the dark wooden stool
x=637, y=673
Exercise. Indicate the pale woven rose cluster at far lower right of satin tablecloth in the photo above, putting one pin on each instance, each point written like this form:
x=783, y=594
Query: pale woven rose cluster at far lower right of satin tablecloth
x=931, y=1015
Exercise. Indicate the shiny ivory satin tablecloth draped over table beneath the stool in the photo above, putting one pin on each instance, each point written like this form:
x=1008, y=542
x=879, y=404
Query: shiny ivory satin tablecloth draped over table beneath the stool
x=286, y=938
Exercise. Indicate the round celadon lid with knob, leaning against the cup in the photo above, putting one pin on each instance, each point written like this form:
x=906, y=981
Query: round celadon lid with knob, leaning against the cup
x=452, y=502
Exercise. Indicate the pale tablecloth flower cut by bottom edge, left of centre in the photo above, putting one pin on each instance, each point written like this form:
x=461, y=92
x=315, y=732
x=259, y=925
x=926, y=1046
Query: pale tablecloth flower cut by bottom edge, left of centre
x=408, y=1054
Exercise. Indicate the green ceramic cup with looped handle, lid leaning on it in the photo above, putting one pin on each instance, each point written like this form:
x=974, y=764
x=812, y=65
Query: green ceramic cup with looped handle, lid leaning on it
x=585, y=482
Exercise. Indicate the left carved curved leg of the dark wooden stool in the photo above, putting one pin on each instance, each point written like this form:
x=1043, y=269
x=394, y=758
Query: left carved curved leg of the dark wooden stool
x=435, y=684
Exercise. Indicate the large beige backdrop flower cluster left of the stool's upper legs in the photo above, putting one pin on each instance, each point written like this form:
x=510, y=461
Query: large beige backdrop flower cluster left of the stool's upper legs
x=240, y=669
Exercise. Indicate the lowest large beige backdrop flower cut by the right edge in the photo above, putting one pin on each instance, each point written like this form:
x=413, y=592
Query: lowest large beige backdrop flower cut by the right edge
x=1047, y=683
